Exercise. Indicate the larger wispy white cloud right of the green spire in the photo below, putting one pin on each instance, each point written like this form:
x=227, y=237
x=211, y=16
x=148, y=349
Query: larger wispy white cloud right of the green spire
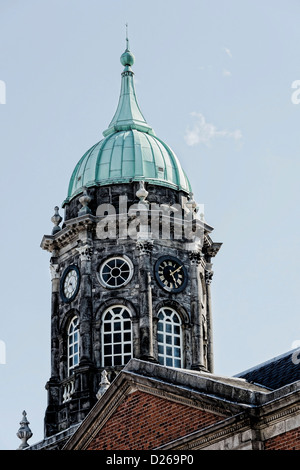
x=203, y=132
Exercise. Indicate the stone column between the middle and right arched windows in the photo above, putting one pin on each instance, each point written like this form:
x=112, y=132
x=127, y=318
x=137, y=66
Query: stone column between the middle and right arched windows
x=144, y=248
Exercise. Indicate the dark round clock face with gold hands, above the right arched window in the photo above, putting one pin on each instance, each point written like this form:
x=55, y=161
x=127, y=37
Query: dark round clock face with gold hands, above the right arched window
x=171, y=274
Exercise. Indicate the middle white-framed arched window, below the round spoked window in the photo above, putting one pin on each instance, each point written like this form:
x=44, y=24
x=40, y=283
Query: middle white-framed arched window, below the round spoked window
x=116, y=336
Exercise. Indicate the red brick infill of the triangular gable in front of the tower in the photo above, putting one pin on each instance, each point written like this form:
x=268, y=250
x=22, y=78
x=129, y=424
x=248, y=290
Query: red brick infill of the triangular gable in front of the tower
x=143, y=422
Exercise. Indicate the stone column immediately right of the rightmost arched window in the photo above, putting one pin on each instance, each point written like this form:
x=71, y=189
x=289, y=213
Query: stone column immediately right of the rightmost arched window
x=196, y=316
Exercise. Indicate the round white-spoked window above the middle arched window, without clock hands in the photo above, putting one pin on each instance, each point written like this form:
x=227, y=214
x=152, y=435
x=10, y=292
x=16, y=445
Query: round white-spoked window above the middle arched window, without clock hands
x=116, y=272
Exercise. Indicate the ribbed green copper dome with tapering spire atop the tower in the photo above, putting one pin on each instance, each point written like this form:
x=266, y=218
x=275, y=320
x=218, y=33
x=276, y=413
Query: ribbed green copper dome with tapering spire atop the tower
x=130, y=150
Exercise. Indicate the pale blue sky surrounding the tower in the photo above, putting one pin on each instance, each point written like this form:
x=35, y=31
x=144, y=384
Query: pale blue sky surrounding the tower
x=214, y=79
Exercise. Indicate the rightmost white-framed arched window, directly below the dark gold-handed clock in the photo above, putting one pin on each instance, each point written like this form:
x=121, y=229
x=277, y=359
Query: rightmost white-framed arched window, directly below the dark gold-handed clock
x=169, y=338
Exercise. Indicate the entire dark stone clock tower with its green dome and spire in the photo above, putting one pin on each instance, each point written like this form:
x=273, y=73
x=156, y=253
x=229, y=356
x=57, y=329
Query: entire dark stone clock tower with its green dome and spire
x=131, y=265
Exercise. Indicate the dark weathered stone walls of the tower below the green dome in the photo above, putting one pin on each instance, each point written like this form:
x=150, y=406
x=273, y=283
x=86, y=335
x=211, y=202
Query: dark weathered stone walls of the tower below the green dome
x=77, y=245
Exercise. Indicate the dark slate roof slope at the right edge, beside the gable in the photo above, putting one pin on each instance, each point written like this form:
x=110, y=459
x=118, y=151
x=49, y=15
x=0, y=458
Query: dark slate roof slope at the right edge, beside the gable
x=275, y=373
